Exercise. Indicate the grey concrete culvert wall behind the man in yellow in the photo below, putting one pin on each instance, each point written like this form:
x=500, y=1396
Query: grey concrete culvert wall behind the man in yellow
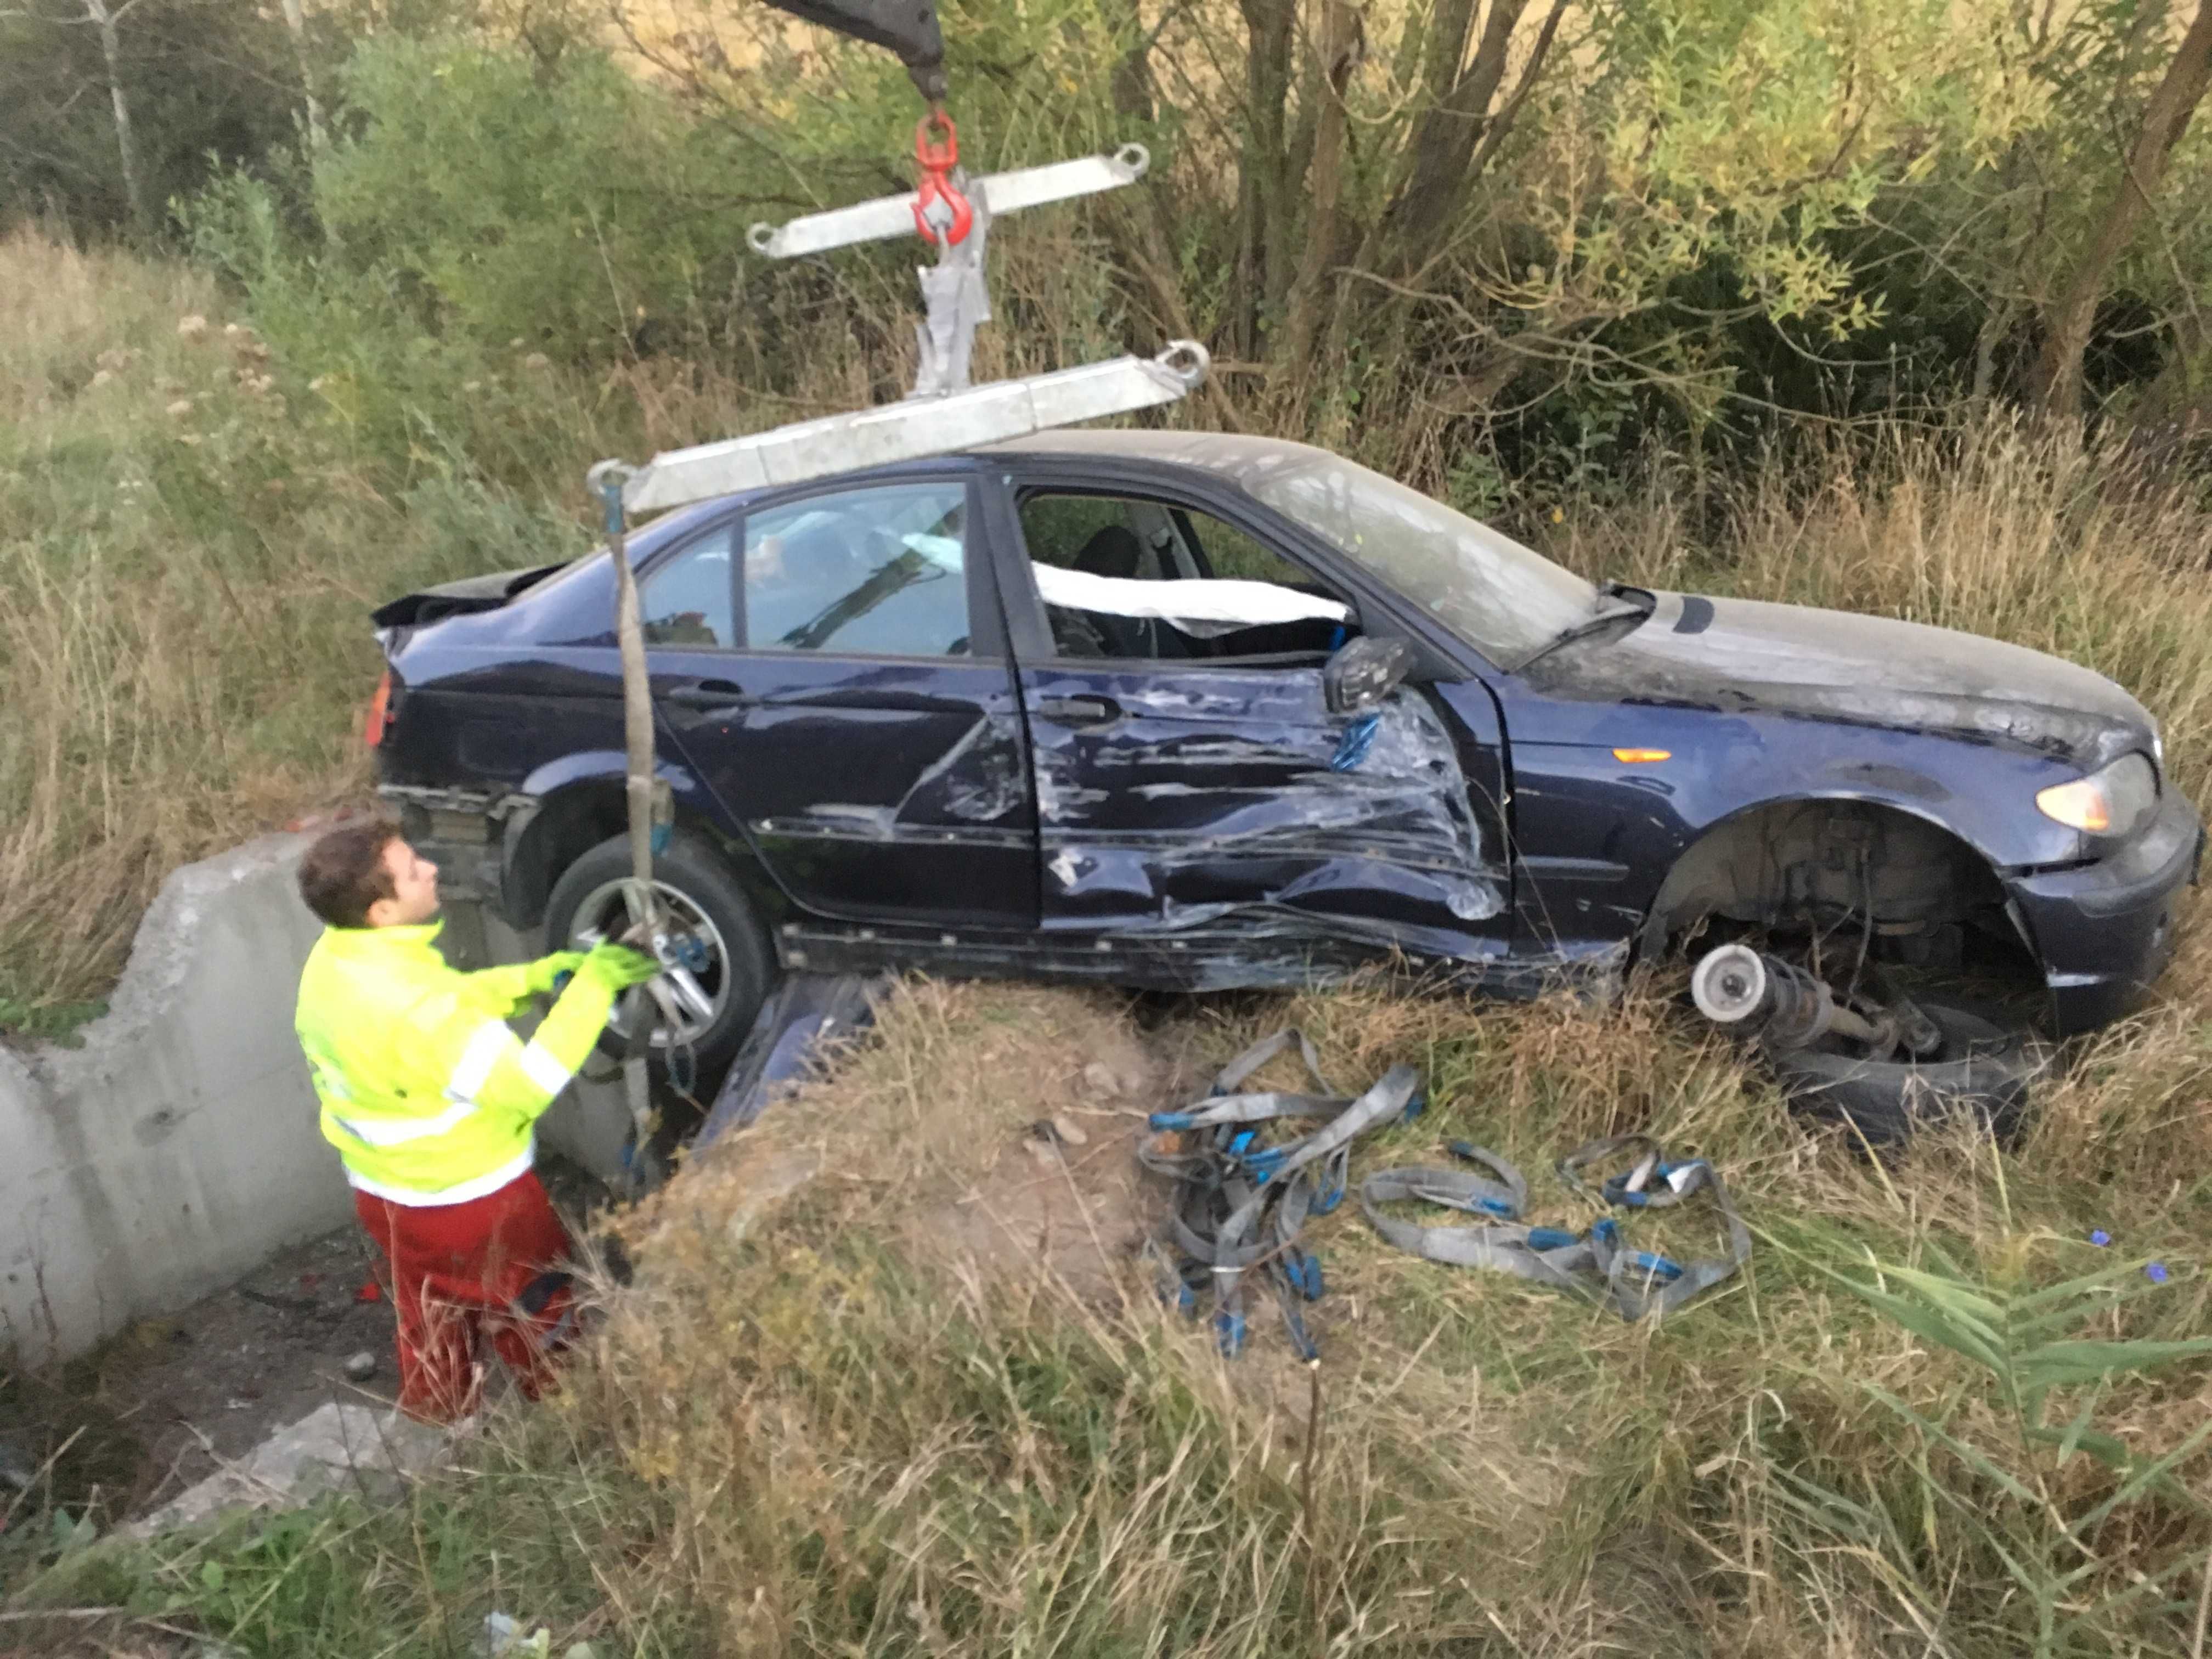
x=176, y=1147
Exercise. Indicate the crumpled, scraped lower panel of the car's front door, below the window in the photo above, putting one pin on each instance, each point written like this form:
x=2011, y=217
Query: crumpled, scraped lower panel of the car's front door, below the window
x=1231, y=802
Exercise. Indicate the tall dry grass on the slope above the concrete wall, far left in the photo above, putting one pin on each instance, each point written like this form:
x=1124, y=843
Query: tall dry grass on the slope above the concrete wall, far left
x=171, y=680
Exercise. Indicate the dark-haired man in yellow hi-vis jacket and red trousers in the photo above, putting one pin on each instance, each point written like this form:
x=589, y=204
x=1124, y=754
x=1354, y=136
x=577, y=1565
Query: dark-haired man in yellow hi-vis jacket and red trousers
x=432, y=1103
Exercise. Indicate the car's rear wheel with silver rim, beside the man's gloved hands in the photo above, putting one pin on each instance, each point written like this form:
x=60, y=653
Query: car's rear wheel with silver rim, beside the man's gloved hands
x=722, y=992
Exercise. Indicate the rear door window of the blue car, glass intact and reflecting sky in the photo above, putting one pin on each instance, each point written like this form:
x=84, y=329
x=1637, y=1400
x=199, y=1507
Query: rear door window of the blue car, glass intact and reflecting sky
x=873, y=572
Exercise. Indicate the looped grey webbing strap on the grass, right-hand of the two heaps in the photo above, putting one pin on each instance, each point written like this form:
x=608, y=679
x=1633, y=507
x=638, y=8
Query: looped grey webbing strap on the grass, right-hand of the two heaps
x=1598, y=1264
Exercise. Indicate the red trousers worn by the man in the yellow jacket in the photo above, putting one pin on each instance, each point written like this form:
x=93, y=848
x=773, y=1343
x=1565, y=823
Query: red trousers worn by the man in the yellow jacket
x=466, y=1275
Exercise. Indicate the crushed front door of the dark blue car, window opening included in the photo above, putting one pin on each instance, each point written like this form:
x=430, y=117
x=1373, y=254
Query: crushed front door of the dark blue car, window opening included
x=1193, y=786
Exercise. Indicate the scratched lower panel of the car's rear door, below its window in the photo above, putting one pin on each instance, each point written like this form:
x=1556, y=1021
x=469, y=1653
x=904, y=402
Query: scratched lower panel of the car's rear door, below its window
x=873, y=791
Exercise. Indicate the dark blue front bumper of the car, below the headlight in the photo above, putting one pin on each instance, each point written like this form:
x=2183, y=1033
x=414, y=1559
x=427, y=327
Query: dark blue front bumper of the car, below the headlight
x=2107, y=930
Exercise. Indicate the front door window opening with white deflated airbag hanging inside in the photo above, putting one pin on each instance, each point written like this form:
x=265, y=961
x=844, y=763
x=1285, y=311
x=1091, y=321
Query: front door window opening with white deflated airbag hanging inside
x=1123, y=576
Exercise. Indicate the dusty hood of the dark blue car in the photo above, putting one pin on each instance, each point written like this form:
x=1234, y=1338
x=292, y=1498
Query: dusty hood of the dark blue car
x=1835, y=665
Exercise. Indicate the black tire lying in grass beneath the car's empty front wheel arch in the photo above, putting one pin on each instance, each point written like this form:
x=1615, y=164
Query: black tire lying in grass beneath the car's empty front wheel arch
x=1981, y=1076
